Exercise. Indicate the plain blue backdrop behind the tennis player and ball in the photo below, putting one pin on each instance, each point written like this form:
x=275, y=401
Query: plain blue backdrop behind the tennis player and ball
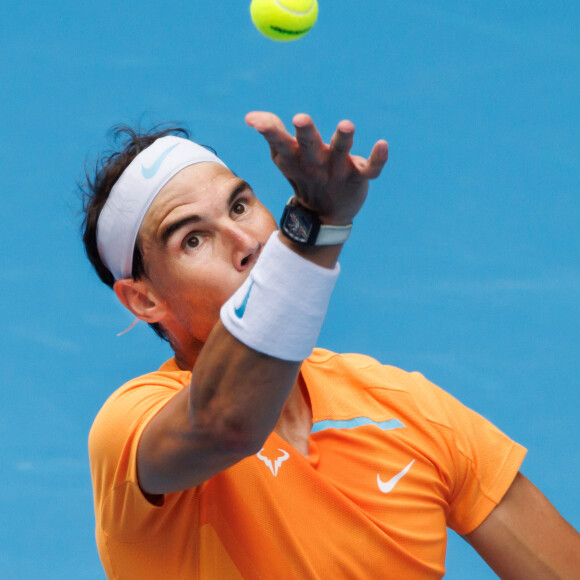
x=464, y=263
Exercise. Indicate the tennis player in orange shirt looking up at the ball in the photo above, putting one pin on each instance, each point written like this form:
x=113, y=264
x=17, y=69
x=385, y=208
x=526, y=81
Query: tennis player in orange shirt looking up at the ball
x=251, y=453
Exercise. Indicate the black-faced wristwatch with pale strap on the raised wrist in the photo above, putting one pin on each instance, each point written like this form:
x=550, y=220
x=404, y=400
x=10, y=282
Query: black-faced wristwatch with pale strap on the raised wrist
x=304, y=227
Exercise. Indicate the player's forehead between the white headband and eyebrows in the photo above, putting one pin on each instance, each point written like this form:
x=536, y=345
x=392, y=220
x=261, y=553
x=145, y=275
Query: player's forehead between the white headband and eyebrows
x=194, y=189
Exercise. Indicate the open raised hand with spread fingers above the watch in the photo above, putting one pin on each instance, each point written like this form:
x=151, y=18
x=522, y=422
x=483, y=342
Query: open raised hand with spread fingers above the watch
x=326, y=178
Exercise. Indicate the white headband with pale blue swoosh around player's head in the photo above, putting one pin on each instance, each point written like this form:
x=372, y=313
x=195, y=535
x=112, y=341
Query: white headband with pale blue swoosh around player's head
x=133, y=193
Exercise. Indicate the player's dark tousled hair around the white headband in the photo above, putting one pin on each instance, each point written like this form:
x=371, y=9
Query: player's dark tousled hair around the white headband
x=99, y=181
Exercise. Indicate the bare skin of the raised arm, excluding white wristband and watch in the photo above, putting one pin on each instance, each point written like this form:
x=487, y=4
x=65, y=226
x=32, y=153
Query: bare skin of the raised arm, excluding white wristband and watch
x=237, y=393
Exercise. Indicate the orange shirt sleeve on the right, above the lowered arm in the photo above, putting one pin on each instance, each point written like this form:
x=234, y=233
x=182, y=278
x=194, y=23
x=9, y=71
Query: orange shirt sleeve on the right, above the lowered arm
x=482, y=460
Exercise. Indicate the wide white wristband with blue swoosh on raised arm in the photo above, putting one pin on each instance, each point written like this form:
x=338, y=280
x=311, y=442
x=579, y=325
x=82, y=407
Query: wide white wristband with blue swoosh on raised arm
x=280, y=308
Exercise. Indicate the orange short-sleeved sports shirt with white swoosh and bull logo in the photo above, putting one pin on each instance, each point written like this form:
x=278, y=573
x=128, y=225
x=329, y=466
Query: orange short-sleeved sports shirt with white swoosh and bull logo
x=393, y=461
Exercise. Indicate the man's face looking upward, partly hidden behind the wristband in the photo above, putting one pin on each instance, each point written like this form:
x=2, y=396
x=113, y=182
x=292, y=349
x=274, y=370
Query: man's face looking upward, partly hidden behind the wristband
x=200, y=238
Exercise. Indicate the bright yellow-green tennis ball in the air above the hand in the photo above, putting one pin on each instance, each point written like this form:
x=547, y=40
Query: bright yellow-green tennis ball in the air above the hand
x=284, y=19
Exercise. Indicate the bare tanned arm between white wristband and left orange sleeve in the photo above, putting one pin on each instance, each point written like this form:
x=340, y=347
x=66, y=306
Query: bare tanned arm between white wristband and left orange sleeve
x=230, y=407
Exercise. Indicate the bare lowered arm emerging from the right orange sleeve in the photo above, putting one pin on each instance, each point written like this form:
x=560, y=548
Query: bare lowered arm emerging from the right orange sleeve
x=525, y=537
